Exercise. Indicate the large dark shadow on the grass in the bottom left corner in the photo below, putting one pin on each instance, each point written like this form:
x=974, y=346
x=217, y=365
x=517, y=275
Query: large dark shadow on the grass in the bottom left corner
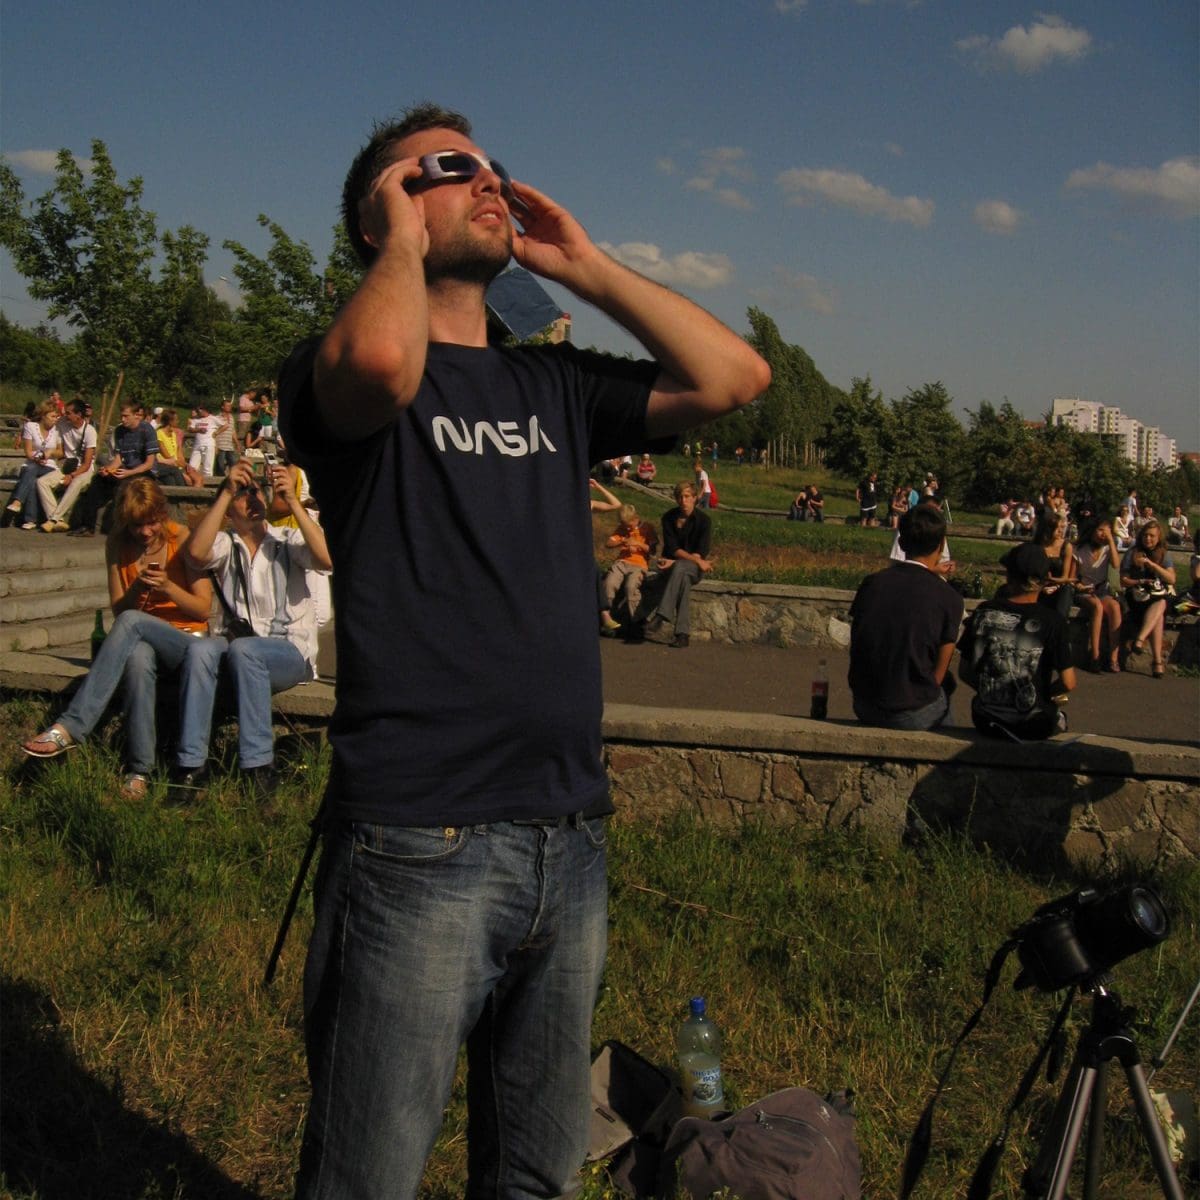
x=67, y=1136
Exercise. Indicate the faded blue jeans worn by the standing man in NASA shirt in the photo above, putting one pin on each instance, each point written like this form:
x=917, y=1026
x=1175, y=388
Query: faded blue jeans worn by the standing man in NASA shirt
x=425, y=939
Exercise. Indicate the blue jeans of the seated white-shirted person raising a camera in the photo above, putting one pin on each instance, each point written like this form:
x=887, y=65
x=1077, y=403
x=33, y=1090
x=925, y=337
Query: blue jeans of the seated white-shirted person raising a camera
x=259, y=667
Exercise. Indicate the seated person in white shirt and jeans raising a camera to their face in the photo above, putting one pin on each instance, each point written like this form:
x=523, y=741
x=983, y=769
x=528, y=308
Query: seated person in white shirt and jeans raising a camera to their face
x=267, y=626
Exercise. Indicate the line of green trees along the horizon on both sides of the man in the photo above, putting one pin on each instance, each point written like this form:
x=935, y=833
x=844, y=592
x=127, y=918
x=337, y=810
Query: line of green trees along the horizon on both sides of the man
x=139, y=308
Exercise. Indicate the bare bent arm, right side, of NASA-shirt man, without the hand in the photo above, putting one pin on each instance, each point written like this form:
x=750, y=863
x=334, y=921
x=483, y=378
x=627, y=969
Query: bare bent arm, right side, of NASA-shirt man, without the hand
x=711, y=370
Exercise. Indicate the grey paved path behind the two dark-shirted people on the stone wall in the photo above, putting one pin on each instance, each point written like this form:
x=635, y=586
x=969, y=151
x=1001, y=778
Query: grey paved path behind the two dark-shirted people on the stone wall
x=765, y=680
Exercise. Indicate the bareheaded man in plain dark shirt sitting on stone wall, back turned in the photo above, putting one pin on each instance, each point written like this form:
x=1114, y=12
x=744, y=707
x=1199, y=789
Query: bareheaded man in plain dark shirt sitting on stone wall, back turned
x=904, y=625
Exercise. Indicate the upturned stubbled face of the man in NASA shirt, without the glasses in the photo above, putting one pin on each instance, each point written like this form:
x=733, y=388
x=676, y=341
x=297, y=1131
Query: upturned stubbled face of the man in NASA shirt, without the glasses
x=471, y=232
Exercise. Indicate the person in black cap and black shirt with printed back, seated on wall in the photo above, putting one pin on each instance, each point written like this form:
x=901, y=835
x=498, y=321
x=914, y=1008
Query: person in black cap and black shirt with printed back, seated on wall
x=1010, y=651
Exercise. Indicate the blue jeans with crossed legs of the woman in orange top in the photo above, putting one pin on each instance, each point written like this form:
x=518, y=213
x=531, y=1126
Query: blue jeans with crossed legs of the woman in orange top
x=137, y=646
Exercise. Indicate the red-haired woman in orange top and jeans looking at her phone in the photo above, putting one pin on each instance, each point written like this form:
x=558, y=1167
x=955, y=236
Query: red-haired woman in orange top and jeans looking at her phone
x=160, y=605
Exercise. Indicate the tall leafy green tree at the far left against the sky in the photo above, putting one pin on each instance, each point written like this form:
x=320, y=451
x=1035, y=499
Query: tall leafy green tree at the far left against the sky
x=87, y=248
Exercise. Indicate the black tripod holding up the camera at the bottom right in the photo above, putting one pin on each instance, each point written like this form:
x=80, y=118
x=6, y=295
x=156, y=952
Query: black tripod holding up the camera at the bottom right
x=1108, y=1037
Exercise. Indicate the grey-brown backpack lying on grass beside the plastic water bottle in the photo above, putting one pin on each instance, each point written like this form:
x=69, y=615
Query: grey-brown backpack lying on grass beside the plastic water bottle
x=791, y=1145
